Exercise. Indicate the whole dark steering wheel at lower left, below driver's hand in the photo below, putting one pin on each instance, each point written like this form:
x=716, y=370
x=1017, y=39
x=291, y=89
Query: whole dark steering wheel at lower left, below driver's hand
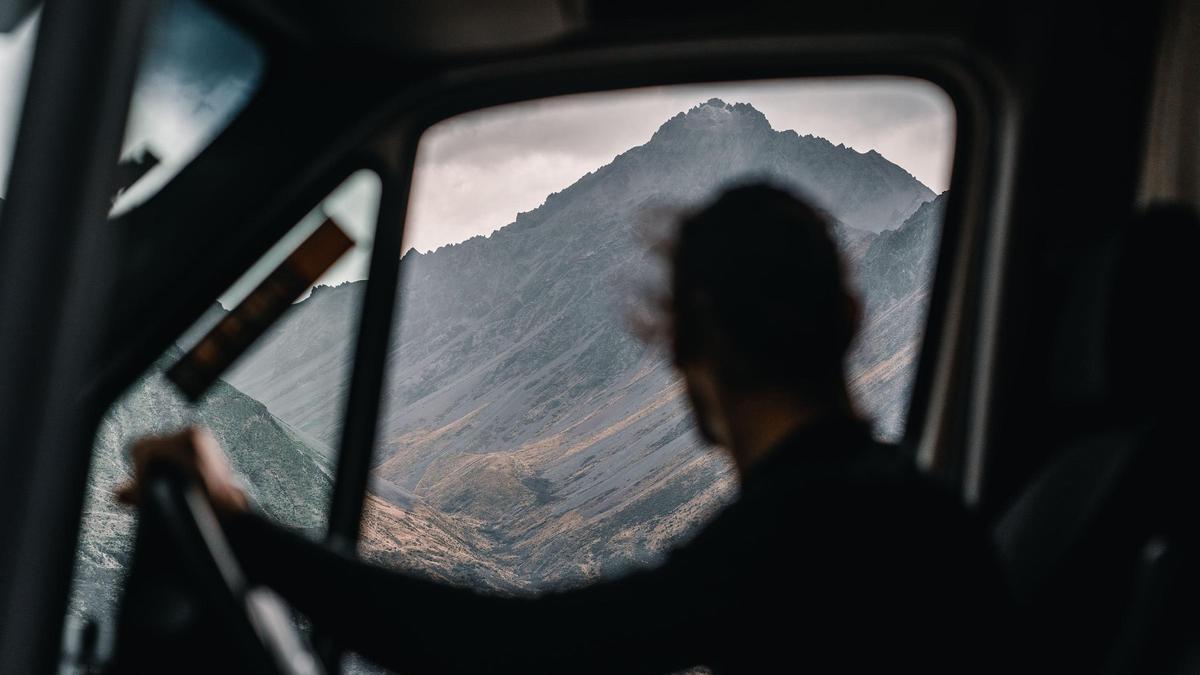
x=169, y=626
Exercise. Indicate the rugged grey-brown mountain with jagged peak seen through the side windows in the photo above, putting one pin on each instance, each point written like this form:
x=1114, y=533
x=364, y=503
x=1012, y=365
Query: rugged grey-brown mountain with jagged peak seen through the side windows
x=521, y=409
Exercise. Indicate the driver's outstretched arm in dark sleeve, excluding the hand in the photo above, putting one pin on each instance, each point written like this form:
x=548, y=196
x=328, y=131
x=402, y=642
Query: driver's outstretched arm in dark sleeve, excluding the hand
x=655, y=622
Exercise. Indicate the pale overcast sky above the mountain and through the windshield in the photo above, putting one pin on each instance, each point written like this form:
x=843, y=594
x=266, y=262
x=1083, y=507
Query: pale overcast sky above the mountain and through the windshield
x=476, y=172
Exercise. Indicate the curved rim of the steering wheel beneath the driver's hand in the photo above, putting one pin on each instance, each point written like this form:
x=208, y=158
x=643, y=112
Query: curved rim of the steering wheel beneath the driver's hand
x=254, y=618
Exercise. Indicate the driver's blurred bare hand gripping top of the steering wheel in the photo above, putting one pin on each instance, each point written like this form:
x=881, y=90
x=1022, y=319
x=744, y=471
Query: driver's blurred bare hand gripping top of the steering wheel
x=196, y=451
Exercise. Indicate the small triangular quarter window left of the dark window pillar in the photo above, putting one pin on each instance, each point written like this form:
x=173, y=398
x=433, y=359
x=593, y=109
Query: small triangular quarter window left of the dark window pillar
x=287, y=468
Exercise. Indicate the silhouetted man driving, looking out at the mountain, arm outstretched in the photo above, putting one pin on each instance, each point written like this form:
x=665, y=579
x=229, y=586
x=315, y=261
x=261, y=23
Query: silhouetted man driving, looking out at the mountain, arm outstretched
x=837, y=555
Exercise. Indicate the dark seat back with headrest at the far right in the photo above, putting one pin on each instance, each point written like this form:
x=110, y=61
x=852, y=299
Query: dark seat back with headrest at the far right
x=1109, y=524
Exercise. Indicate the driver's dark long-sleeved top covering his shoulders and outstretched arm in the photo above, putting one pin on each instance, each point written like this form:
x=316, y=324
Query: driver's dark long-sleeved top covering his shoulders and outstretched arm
x=837, y=558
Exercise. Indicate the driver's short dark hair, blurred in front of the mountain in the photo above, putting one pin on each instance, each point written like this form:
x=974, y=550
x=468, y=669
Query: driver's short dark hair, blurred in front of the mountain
x=758, y=284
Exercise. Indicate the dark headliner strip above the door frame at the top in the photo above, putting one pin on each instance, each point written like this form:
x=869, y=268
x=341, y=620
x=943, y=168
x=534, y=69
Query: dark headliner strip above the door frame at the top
x=466, y=31
